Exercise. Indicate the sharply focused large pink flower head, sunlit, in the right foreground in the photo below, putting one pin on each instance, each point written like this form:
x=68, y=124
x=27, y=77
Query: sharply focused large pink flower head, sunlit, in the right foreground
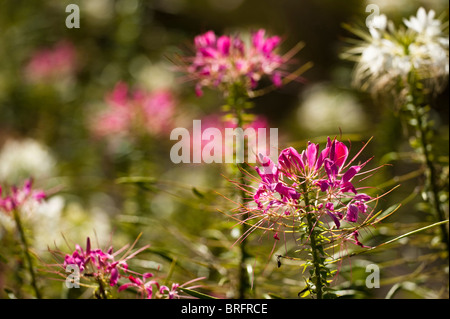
x=324, y=174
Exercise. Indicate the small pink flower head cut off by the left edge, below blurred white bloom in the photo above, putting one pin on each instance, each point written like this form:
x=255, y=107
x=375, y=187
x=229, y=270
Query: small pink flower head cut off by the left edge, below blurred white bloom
x=20, y=197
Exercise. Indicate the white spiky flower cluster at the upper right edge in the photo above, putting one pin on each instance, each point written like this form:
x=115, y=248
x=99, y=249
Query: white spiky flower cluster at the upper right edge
x=389, y=54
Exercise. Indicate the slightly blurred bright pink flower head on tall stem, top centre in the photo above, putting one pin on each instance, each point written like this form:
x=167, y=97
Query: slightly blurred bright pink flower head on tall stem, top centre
x=226, y=60
